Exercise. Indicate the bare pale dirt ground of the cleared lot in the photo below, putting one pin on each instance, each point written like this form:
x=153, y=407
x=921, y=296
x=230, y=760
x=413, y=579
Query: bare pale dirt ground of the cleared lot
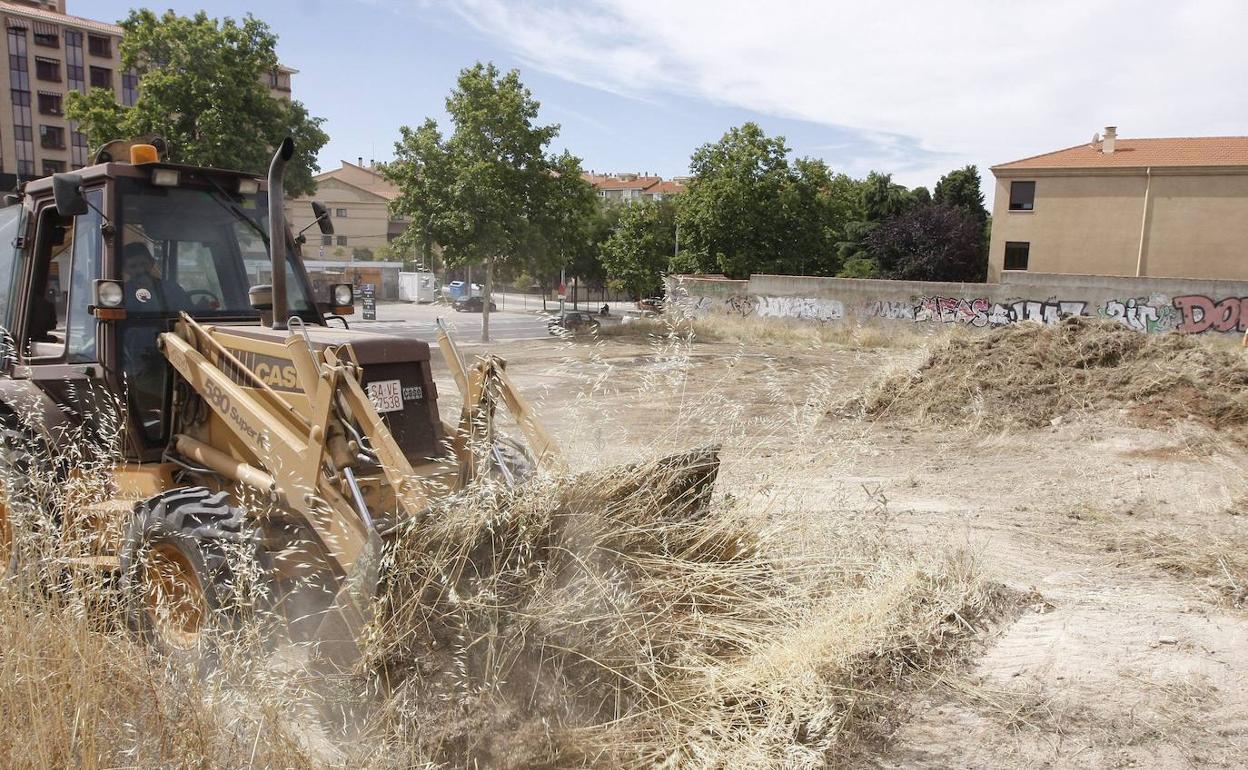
x=1113, y=662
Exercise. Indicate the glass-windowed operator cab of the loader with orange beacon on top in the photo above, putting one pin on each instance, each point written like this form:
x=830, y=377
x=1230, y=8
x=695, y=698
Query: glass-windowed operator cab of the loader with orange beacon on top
x=173, y=239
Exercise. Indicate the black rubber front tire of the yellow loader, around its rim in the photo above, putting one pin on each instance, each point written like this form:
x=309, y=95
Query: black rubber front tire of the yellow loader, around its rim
x=203, y=530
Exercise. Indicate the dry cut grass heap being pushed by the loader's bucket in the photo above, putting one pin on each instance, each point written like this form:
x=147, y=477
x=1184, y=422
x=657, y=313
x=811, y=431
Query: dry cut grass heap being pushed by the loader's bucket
x=600, y=621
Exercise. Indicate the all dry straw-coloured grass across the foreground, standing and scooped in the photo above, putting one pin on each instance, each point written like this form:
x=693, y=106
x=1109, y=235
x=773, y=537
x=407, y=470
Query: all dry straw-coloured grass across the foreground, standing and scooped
x=577, y=622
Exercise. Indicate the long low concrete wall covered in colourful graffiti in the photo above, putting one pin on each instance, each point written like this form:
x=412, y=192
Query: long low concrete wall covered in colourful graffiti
x=1150, y=305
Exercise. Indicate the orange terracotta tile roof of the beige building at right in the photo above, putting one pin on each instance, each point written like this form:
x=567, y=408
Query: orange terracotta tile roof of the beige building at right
x=1141, y=153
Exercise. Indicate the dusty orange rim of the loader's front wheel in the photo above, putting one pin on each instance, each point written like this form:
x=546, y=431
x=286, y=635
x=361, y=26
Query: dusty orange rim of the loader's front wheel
x=174, y=598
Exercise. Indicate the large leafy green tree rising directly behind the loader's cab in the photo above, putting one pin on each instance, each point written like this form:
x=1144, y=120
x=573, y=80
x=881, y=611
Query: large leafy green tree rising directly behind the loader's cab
x=200, y=87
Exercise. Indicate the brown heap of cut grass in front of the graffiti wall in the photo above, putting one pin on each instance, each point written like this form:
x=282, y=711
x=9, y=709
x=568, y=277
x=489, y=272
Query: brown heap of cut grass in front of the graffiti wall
x=1026, y=375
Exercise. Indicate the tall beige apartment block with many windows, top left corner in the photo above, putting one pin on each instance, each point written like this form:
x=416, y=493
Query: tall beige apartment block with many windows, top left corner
x=49, y=54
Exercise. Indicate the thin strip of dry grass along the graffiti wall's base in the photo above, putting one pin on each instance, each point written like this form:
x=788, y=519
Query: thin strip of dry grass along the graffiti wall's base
x=717, y=328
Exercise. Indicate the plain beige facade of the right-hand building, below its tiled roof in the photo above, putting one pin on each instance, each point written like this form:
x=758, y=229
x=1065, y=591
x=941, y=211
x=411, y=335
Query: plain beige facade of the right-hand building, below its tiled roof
x=1095, y=223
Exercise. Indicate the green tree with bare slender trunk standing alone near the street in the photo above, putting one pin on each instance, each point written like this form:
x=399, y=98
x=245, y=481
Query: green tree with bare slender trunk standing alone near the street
x=490, y=193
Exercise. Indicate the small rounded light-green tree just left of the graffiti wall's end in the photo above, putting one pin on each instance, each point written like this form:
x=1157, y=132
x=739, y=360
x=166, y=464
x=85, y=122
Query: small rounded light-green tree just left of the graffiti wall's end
x=638, y=253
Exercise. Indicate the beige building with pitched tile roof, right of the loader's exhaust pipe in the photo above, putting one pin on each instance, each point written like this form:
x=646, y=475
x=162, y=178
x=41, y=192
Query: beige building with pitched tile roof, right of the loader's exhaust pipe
x=359, y=203
